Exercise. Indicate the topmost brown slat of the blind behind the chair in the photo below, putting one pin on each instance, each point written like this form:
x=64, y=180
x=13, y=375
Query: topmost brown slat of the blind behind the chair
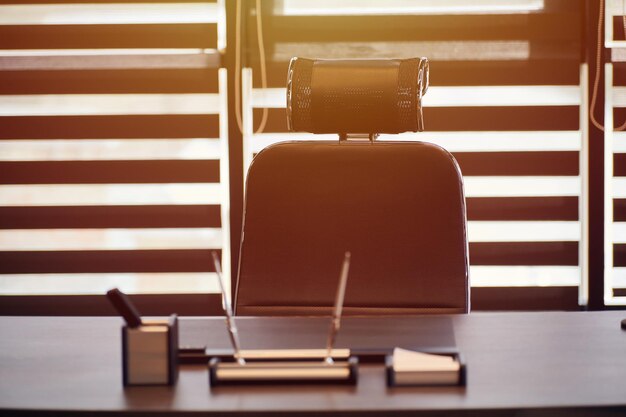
x=565, y=25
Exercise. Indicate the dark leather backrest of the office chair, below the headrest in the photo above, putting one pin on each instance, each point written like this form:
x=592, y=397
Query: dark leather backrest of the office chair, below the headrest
x=397, y=207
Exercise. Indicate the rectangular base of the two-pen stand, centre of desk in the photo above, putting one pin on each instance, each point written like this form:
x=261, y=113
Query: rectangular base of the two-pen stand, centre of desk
x=283, y=370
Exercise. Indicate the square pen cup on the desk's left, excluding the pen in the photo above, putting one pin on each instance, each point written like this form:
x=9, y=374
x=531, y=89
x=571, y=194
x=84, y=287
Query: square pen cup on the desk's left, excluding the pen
x=150, y=352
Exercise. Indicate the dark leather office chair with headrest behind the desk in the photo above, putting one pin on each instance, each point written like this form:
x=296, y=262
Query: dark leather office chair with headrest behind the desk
x=398, y=207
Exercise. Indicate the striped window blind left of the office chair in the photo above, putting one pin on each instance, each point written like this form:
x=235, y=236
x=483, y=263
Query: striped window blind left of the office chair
x=113, y=147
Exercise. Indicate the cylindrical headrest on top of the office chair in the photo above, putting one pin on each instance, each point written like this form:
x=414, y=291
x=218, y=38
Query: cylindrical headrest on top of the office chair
x=356, y=96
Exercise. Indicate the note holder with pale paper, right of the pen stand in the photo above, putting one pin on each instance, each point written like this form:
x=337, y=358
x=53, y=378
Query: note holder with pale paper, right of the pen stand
x=418, y=368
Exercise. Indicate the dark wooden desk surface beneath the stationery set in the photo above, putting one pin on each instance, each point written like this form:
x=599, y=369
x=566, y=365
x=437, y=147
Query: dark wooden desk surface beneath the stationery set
x=518, y=364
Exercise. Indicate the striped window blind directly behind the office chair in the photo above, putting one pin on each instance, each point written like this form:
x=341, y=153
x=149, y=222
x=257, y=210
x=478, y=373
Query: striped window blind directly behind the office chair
x=508, y=98
